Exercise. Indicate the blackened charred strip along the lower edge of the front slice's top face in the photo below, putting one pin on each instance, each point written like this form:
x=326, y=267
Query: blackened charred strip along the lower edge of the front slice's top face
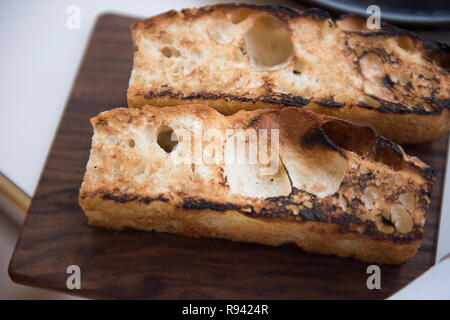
x=281, y=207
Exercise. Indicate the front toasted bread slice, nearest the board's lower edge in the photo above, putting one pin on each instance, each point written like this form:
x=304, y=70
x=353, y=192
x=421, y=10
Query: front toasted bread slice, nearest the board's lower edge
x=338, y=188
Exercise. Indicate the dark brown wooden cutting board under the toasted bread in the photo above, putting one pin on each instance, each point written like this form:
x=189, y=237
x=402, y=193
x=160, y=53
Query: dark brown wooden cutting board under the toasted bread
x=134, y=264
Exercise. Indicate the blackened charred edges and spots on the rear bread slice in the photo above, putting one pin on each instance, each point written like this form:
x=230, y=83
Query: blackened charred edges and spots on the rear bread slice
x=435, y=51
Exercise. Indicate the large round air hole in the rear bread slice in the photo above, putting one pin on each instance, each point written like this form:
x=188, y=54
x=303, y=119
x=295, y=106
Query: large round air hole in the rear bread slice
x=269, y=44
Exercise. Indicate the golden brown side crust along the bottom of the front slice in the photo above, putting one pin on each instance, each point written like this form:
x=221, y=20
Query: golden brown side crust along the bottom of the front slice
x=312, y=236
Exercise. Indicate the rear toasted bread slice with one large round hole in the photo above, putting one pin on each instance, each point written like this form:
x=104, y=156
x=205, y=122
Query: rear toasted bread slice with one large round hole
x=235, y=57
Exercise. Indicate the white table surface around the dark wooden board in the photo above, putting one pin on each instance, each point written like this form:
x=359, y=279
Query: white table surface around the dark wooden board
x=39, y=60
